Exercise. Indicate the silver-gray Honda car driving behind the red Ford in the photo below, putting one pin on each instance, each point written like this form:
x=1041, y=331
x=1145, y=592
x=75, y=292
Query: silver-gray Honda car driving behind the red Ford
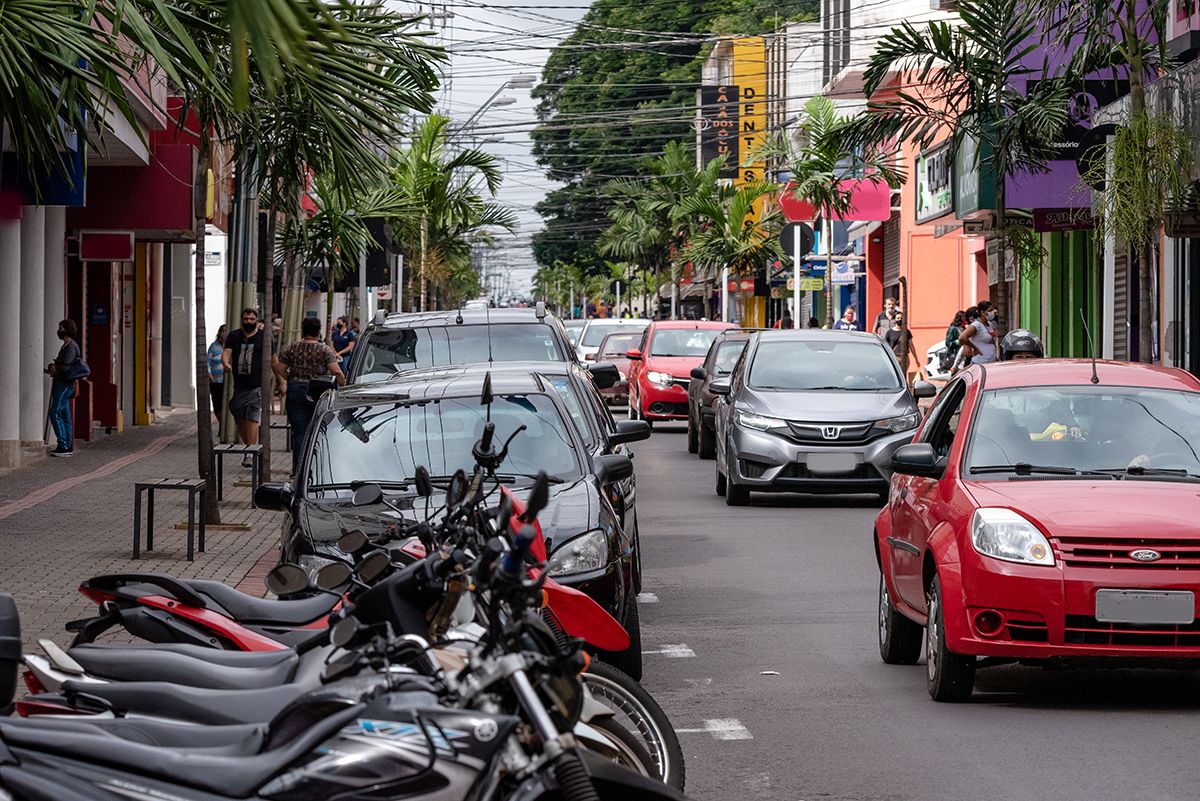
x=812, y=411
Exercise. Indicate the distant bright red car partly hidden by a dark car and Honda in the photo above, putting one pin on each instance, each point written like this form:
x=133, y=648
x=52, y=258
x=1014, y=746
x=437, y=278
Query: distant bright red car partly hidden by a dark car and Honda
x=661, y=368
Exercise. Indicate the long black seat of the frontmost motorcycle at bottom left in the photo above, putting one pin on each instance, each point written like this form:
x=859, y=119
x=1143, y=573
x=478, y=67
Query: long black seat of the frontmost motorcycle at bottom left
x=227, y=776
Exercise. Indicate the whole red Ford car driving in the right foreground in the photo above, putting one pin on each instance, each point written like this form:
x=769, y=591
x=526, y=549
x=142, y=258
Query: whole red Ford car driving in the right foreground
x=1047, y=511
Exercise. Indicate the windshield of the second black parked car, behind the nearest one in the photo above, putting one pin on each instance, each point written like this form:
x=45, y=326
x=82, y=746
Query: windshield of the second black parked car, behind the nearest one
x=391, y=352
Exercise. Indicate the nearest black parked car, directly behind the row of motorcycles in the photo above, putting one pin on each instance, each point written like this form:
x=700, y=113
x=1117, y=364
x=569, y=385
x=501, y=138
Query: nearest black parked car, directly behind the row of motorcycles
x=382, y=432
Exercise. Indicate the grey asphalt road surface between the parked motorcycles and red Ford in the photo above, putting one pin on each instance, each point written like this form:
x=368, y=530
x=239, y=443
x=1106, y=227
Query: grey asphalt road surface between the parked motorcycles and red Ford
x=769, y=666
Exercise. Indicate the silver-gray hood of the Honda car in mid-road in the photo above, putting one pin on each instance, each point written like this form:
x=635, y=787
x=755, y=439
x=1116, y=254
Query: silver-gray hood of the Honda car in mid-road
x=826, y=406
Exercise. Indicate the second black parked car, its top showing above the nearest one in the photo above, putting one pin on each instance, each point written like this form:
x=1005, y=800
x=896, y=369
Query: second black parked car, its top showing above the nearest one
x=397, y=344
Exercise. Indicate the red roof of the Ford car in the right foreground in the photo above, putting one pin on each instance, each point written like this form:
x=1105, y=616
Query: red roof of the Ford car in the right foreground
x=1058, y=372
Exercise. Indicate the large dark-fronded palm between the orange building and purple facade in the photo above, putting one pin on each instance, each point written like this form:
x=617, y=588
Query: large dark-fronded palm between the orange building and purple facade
x=967, y=71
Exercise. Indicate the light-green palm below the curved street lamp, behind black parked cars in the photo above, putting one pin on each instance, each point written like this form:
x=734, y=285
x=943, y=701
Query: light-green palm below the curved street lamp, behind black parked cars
x=448, y=190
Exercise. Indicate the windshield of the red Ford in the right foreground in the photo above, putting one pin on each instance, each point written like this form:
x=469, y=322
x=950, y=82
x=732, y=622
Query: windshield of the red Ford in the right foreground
x=1126, y=430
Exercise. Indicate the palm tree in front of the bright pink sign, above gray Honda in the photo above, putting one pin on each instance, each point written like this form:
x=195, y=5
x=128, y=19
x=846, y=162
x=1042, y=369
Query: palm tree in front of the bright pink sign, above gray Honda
x=820, y=164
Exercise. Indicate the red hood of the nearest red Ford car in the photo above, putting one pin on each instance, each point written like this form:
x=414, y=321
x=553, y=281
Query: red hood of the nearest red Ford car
x=1113, y=509
